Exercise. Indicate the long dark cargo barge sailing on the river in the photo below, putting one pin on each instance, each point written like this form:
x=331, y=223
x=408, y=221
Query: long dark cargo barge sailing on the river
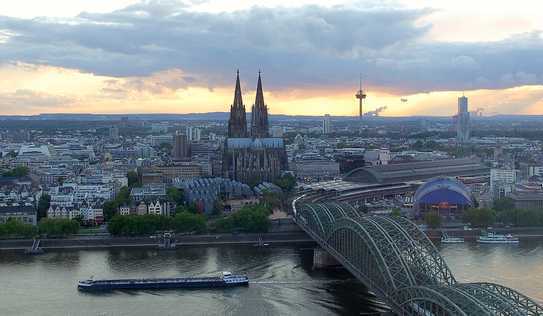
x=227, y=279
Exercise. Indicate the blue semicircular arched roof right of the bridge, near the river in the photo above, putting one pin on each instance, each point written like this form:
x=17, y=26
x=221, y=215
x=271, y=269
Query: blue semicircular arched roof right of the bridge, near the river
x=442, y=189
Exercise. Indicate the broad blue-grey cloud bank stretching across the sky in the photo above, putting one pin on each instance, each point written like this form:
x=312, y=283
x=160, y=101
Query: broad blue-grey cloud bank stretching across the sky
x=310, y=46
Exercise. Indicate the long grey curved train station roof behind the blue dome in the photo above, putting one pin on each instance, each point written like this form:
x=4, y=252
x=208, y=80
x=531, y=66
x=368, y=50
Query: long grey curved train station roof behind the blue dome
x=420, y=170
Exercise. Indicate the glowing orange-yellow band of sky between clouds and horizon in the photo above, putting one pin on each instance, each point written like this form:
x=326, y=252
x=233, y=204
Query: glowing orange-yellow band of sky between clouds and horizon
x=40, y=89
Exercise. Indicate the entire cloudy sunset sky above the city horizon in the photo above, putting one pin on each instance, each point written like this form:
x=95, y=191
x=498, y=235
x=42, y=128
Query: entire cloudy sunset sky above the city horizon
x=131, y=56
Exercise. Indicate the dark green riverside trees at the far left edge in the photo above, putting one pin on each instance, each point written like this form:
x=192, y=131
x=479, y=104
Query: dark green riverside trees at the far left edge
x=47, y=226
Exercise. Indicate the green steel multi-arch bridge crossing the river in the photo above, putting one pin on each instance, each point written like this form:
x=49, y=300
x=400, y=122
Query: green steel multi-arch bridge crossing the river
x=398, y=262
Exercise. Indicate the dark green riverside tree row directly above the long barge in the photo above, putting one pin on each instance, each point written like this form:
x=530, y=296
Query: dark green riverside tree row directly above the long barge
x=149, y=224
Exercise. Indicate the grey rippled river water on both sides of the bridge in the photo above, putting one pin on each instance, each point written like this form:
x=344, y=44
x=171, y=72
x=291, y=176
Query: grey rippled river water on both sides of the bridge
x=282, y=281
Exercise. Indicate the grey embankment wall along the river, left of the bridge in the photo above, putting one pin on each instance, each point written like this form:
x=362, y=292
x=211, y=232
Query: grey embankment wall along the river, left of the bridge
x=93, y=242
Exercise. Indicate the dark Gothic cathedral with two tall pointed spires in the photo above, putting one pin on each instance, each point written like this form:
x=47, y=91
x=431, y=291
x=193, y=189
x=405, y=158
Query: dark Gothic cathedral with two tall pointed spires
x=252, y=156
